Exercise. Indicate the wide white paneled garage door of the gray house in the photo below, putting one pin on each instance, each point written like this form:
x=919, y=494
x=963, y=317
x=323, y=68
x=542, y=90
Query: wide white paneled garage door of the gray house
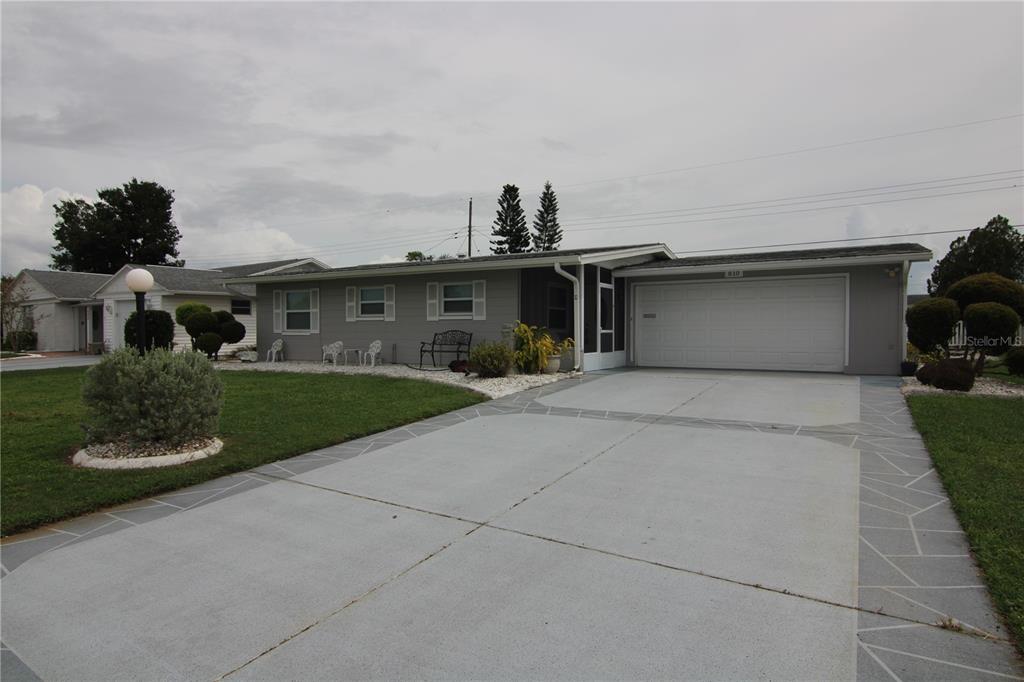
x=777, y=324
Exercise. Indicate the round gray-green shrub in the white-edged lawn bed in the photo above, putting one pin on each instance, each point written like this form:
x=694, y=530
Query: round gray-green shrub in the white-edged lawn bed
x=161, y=397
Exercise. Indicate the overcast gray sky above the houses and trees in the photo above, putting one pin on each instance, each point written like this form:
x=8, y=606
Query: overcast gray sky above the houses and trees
x=357, y=133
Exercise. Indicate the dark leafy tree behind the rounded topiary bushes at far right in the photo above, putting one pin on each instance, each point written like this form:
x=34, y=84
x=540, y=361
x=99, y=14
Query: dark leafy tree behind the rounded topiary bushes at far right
x=999, y=247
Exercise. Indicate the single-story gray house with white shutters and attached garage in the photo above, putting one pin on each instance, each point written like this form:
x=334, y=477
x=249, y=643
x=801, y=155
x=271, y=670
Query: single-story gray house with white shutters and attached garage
x=818, y=311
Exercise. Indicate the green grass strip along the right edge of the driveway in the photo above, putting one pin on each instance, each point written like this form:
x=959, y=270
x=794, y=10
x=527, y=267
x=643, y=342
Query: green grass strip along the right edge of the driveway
x=978, y=448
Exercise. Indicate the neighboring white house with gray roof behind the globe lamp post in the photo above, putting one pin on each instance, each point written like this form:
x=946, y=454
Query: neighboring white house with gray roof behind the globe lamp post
x=84, y=312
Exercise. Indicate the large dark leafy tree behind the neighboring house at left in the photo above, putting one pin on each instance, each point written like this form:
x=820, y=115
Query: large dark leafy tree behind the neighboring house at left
x=133, y=224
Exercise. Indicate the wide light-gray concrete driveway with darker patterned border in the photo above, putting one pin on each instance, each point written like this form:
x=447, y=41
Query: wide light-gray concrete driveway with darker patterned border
x=637, y=525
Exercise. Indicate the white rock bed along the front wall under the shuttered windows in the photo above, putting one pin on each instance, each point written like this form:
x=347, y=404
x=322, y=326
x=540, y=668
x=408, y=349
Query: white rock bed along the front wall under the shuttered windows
x=493, y=389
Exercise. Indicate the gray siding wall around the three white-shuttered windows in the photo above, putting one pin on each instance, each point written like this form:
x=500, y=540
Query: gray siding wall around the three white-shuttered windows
x=410, y=326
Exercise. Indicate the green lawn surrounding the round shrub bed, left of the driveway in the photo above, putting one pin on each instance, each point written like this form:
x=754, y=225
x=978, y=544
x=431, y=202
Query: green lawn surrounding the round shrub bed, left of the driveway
x=267, y=417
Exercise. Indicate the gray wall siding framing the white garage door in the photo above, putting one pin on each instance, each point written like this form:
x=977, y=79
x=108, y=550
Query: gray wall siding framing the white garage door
x=875, y=335
